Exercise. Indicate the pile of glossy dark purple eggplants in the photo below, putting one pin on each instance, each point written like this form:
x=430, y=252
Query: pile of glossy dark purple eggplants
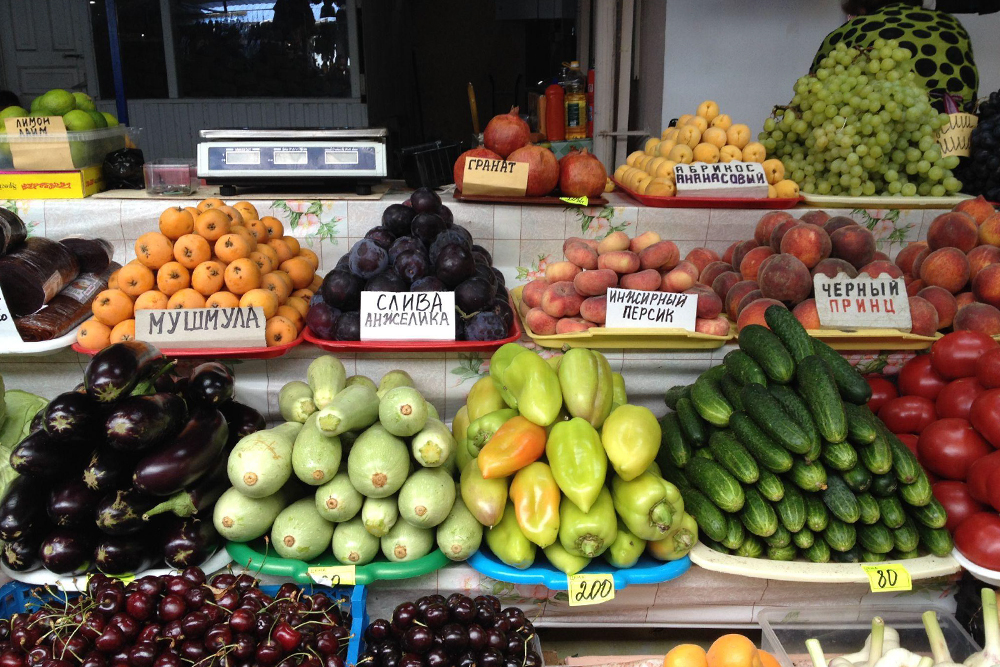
x=121, y=474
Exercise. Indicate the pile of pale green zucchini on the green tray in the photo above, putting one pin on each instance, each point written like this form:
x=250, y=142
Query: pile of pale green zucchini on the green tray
x=357, y=467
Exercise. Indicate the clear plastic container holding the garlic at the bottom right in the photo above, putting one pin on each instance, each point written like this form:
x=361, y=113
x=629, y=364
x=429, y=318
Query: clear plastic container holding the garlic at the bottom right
x=843, y=630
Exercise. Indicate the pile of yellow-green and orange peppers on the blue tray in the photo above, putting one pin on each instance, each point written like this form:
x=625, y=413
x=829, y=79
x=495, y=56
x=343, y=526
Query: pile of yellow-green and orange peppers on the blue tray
x=540, y=435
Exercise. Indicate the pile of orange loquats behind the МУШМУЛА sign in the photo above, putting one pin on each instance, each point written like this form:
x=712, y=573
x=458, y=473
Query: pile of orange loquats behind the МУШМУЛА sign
x=212, y=256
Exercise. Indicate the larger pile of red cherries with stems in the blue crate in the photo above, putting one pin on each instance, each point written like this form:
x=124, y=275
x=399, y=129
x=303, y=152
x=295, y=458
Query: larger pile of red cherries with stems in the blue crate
x=178, y=620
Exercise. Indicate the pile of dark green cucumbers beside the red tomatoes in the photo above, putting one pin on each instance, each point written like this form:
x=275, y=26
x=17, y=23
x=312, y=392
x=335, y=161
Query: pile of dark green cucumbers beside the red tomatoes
x=778, y=456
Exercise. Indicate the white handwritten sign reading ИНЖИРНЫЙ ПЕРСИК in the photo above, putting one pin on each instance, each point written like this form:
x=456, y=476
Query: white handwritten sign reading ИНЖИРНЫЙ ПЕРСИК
x=636, y=309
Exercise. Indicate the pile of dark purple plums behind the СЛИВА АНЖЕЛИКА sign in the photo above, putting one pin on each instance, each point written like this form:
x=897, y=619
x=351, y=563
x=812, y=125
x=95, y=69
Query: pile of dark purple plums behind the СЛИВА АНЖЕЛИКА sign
x=417, y=248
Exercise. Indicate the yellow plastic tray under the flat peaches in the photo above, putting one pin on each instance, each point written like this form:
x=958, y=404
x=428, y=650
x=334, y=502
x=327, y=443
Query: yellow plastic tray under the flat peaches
x=599, y=338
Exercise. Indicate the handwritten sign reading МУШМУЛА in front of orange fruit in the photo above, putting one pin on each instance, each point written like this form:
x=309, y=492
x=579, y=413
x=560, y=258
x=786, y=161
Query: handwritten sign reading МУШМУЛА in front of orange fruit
x=217, y=328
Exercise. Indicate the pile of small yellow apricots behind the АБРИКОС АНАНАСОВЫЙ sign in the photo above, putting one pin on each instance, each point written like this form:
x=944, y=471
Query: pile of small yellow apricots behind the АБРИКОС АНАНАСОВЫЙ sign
x=708, y=136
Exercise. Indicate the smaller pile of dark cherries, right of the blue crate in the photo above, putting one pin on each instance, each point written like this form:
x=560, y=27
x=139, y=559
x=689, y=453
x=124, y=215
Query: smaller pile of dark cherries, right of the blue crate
x=453, y=632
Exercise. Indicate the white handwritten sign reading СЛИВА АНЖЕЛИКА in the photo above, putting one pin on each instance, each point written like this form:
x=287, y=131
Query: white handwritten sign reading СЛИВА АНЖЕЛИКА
x=407, y=316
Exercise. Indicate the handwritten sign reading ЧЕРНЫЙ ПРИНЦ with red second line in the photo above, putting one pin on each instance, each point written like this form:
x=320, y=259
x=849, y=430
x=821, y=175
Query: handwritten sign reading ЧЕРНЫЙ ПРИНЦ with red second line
x=862, y=303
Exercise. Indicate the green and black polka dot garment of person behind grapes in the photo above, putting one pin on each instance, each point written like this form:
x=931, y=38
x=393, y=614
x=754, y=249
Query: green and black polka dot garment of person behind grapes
x=941, y=46
